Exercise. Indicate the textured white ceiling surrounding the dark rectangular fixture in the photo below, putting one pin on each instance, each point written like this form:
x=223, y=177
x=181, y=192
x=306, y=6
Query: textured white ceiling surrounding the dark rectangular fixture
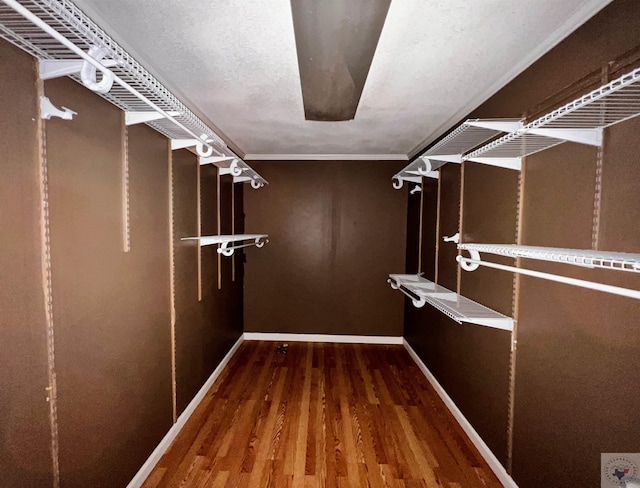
x=235, y=64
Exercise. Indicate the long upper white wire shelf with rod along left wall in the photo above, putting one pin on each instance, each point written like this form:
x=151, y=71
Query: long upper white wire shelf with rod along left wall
x=56, y=31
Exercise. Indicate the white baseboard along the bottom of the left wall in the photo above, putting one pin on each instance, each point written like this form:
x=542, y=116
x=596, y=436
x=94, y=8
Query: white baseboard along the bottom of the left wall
x=144, y=472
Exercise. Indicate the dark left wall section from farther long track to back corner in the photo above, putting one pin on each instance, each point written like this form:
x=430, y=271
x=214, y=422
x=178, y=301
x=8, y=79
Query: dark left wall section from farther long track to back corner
x=207, y=328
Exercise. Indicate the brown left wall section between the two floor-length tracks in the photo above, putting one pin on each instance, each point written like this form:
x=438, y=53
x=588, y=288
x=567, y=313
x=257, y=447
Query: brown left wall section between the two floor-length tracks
x=111, y=315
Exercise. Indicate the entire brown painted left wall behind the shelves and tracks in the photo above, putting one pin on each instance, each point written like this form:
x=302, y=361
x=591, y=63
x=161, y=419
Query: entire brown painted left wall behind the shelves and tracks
x=111, y=308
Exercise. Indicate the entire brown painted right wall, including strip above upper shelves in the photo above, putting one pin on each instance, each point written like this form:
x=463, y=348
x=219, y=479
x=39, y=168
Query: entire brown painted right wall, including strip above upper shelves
x=577, y=350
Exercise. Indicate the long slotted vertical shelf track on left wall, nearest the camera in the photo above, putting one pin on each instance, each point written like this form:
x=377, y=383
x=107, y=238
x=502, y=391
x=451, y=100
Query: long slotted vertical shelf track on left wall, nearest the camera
x=47, y=287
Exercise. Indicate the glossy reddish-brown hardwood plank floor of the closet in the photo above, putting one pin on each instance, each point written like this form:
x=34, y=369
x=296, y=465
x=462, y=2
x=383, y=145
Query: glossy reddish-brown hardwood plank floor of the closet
x=322, y=415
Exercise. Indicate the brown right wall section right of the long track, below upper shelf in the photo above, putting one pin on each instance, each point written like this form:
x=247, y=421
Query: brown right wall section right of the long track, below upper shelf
x=577, y=349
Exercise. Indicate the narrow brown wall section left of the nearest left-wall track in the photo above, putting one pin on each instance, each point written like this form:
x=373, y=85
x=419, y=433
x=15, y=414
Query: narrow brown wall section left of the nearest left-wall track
x=25, y=441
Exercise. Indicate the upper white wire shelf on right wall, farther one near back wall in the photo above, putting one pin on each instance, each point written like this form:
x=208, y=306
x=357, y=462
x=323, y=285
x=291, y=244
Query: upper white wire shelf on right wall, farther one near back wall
x=468, y=135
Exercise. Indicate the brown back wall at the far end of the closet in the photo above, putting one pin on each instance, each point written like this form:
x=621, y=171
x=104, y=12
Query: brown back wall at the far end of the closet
x=337, y=230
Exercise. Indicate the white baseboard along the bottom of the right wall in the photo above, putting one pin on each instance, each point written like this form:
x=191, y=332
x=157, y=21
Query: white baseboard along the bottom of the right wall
x=482, y=447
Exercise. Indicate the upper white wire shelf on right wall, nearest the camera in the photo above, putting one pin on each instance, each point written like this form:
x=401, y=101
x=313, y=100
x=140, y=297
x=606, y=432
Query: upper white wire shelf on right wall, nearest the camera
x=580, y=121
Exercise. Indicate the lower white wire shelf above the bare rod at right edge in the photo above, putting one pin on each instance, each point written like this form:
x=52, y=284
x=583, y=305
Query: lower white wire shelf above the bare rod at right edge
x=578, y=257
